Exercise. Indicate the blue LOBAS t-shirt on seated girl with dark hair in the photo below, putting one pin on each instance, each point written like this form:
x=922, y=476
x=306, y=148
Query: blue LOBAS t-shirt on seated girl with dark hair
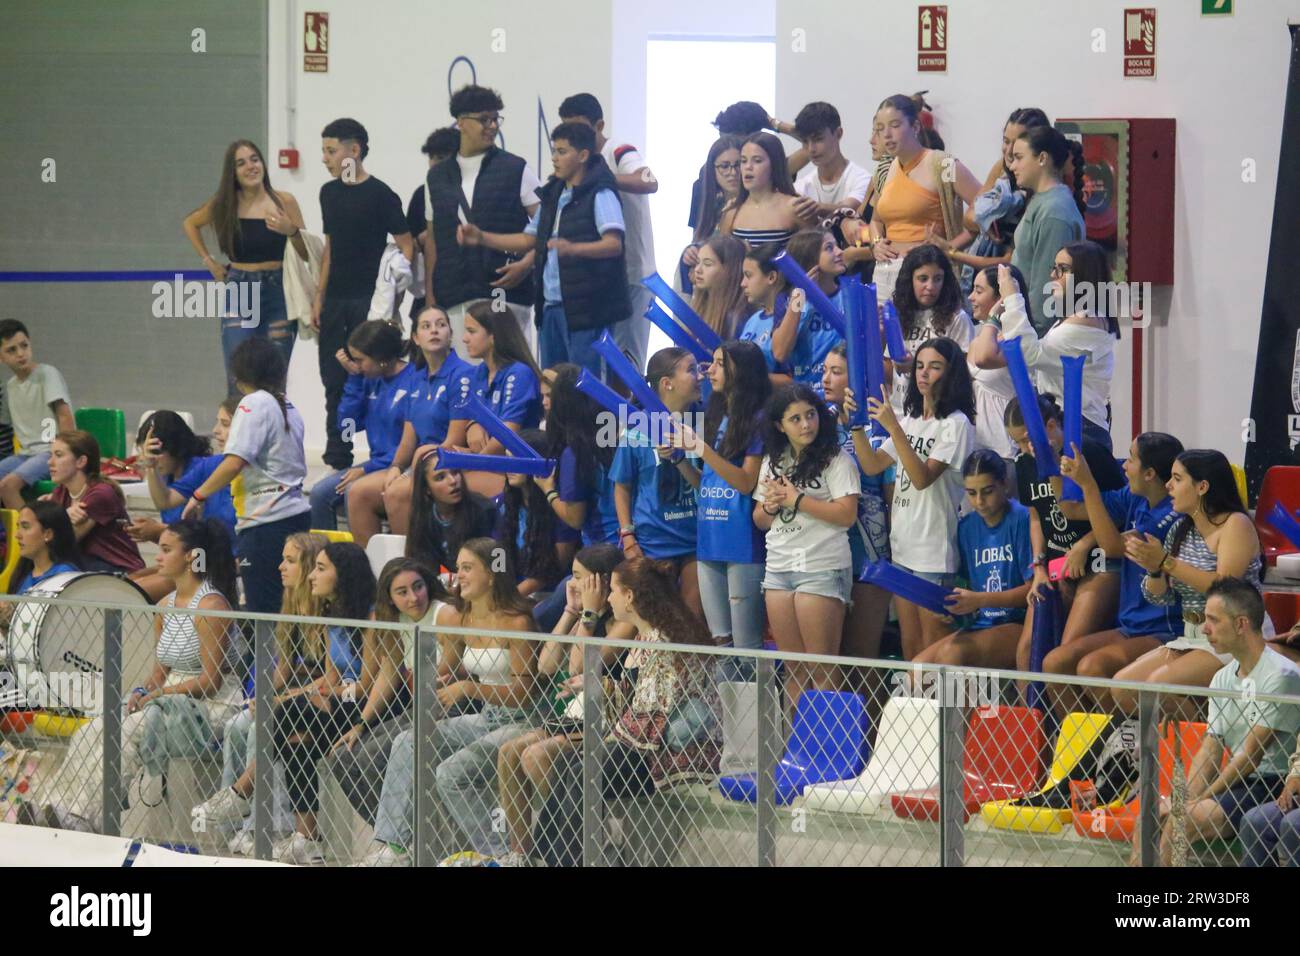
x=996, y=559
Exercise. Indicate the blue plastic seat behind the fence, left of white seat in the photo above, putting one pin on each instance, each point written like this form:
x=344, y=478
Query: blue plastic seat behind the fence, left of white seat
x=829, y=743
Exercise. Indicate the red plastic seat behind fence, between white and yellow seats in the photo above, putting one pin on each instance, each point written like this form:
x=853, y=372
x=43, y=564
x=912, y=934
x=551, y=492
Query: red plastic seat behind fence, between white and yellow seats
x=1004, y=762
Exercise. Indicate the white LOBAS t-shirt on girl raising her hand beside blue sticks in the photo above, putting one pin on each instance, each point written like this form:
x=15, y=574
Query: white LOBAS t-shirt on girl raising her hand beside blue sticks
x=924, y=534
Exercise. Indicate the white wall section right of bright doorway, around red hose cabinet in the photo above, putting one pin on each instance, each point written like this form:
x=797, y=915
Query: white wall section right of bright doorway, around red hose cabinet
x=1223, y=80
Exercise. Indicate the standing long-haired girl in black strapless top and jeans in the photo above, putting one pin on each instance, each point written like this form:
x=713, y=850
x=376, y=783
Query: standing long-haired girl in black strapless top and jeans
x=253, y=223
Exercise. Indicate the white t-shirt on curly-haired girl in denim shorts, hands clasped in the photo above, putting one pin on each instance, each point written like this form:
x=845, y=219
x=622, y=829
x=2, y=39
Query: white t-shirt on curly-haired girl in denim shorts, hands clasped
x=804, y=543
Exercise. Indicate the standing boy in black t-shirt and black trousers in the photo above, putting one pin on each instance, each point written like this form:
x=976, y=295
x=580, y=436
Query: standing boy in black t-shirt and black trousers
x=359, y=214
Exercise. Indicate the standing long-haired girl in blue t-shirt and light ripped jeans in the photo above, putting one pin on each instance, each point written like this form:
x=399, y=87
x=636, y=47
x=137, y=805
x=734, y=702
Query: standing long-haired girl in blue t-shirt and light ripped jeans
x=730, y=452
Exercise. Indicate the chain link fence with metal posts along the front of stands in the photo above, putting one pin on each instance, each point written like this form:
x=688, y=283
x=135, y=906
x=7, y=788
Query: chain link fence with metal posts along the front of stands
x=652, y=758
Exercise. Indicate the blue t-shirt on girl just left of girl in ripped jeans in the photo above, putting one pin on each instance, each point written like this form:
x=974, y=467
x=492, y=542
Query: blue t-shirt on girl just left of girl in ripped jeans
x=665, y=527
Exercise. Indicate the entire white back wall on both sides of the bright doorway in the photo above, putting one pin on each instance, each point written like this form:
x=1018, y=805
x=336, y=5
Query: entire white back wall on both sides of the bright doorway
x=1223, y=79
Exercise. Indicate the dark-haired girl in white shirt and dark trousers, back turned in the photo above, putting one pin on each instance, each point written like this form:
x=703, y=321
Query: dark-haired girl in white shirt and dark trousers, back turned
x=265, y=457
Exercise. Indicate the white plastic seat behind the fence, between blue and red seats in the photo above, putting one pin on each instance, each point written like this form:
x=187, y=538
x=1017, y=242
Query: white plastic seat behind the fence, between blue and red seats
x=905, y=758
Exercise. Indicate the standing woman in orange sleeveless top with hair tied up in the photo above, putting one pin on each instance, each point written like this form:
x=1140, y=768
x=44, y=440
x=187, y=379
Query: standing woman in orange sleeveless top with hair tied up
x=911, y=207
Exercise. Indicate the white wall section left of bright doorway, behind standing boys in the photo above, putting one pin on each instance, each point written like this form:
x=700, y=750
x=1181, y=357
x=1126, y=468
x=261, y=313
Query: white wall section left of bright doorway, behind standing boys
x=389, y=70
